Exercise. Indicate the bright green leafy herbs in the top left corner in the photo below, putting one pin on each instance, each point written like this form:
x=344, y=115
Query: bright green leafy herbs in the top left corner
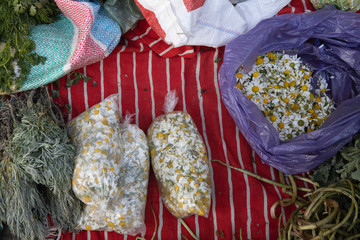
x=17, y=53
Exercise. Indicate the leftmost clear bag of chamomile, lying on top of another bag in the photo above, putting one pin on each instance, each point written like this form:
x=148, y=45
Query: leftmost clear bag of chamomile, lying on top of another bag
x=96, y=135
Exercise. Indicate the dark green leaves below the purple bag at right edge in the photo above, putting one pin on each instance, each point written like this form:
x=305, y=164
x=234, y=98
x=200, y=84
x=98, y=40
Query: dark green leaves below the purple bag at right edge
x=344, y=165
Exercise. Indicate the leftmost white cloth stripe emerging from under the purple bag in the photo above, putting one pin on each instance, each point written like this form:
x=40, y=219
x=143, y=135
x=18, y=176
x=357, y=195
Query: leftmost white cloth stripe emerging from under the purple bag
x=248, y=205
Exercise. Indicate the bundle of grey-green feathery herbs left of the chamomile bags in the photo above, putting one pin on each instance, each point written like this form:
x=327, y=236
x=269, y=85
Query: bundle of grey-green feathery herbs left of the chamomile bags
x=36, y=166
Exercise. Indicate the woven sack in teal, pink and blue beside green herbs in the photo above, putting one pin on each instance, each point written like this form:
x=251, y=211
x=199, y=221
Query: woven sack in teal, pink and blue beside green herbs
x=83, y=35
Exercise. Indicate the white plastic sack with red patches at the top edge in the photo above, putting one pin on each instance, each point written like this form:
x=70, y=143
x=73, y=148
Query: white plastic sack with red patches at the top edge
x=205, y=22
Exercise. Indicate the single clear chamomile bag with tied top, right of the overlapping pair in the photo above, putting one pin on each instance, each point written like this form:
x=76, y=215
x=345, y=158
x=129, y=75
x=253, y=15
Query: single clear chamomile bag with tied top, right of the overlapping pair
x=180, y=163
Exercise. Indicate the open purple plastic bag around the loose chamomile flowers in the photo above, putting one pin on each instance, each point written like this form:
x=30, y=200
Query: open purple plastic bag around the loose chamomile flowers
x=329, y=42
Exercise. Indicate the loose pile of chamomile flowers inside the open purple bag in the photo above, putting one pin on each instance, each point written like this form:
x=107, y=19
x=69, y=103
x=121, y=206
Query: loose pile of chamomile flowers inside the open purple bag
x=280, y=85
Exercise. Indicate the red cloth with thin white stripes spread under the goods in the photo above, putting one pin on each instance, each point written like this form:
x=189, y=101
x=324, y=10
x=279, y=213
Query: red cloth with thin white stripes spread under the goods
x=142, y=69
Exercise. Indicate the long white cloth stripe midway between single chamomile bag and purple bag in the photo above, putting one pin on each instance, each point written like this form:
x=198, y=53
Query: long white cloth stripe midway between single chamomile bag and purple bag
x=231, y=191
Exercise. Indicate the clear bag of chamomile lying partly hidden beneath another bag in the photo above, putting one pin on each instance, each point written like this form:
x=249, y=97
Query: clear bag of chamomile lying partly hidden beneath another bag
x=125, y=213
